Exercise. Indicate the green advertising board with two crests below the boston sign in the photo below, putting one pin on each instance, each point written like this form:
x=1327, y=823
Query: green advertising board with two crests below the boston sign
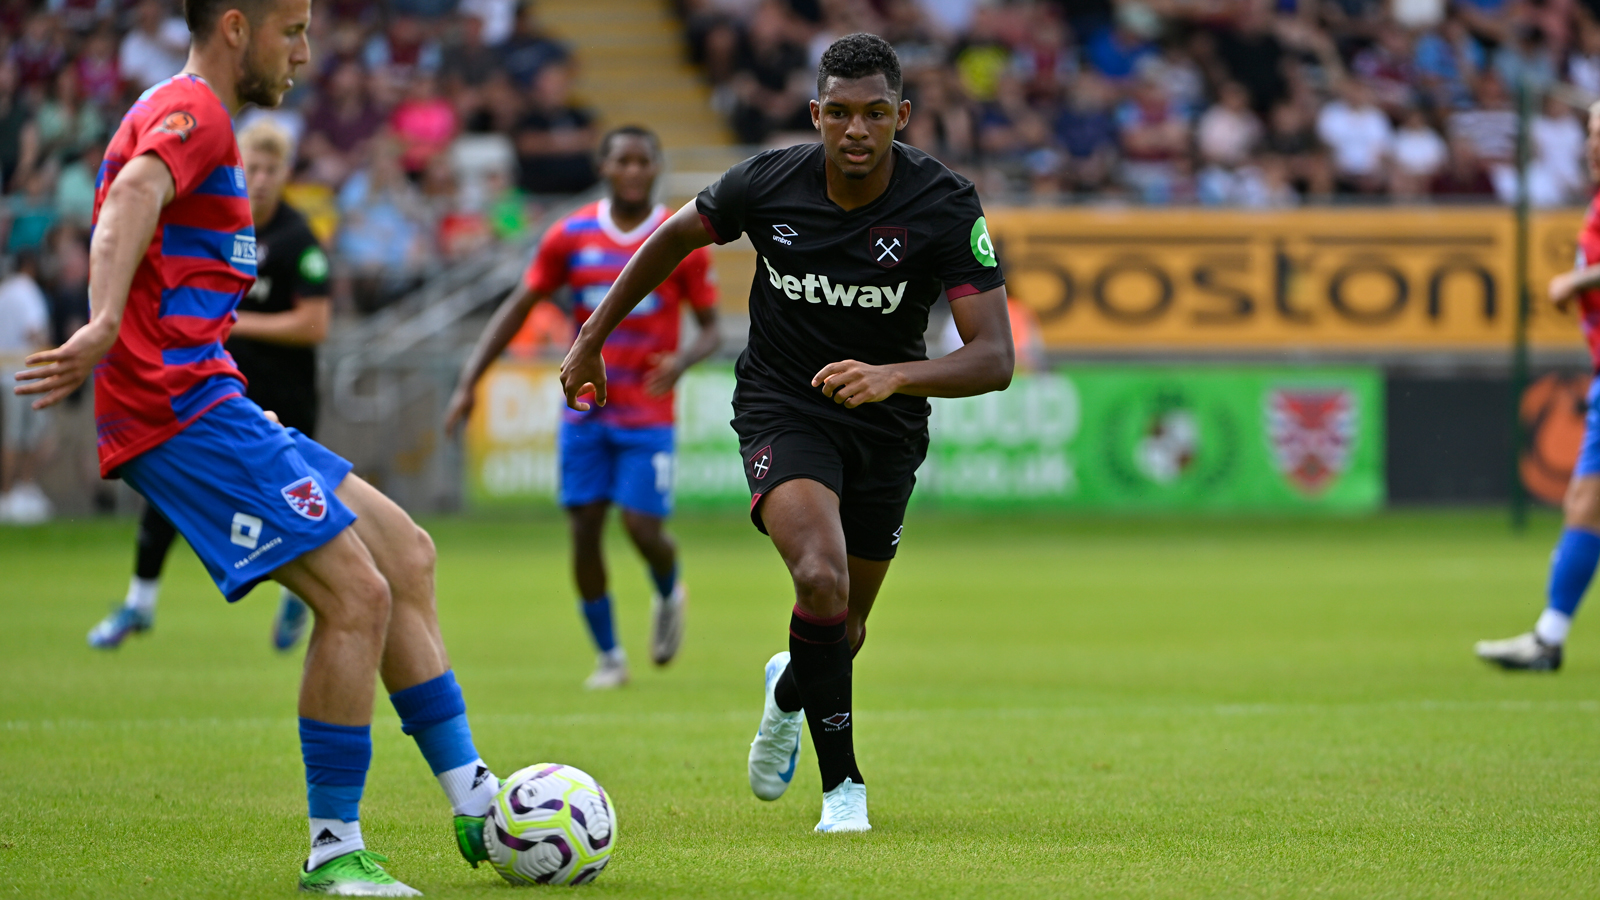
x=1103, y=438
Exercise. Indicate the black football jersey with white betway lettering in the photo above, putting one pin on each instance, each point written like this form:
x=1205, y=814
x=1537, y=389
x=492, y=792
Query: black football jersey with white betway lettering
x=833, y=286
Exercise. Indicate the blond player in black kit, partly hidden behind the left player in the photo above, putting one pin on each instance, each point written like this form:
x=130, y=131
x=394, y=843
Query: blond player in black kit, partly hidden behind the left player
x=281, y=323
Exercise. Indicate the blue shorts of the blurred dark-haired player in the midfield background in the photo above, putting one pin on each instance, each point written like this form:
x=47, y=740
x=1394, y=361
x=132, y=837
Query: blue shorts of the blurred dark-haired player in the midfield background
x=630, y=467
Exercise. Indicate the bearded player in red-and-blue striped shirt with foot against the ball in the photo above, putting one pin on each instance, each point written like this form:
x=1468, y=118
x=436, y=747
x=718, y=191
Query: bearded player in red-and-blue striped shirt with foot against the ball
x=172, y=257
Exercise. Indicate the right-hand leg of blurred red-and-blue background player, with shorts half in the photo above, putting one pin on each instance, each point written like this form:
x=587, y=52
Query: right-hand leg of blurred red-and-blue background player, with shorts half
x=644, y=491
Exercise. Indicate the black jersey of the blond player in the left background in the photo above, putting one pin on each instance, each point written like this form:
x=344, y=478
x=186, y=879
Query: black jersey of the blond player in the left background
x=289, y=263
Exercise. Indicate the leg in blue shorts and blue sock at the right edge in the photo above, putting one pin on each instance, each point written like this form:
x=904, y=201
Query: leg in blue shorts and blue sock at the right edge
x=1572, y=565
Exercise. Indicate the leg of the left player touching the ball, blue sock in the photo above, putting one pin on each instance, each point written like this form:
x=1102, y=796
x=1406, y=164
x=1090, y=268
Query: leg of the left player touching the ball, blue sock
x=415, y=665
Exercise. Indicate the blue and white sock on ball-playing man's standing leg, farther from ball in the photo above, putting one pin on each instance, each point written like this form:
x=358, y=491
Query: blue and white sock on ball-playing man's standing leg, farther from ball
x=337, y=761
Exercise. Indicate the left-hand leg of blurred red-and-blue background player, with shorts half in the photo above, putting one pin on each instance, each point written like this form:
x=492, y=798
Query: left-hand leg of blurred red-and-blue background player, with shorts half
x=588, y=484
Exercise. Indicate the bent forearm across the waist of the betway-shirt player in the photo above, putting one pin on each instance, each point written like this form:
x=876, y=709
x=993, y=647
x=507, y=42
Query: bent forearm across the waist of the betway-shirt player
x=983, y=364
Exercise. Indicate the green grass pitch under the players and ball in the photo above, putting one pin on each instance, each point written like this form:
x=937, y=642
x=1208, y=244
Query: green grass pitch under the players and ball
x=1046, y=709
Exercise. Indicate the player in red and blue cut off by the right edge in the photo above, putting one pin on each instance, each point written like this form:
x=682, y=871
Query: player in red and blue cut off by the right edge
x=1578, y=552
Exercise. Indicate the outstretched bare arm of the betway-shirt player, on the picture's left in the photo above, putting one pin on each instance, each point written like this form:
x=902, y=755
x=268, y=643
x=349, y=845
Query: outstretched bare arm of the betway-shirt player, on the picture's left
x=583, y=371
